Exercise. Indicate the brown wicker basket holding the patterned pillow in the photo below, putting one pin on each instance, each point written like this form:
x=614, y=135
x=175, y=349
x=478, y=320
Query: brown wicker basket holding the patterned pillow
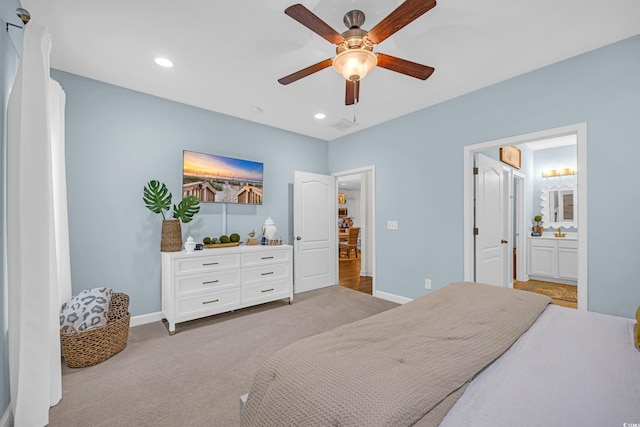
x=96, y=345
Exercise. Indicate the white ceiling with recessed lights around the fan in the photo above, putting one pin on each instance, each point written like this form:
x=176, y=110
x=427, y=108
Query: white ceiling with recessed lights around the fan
x=228, y=55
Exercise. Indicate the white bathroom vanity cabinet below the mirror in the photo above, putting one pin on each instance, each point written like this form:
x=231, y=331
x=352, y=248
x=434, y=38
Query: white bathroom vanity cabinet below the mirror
x=553, y=259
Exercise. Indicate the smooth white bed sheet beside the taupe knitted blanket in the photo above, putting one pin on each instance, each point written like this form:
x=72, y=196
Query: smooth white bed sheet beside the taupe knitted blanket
x=570, y=368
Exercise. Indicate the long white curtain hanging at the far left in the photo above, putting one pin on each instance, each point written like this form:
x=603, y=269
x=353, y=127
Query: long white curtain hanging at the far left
x=37, y=232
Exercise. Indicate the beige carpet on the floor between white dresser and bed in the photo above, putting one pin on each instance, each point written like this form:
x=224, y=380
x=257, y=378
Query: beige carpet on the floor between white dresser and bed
x=196, y=377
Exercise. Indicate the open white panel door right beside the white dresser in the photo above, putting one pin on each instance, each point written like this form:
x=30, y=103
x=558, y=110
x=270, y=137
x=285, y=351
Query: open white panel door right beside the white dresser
x=314, y=231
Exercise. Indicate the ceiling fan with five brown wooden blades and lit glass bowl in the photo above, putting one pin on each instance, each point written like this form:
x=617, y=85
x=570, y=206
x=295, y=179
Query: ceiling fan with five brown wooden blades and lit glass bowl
x=354, y=47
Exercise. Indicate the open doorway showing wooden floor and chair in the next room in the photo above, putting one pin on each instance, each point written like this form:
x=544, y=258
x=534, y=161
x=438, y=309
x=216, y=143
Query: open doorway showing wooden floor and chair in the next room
x=355, y=229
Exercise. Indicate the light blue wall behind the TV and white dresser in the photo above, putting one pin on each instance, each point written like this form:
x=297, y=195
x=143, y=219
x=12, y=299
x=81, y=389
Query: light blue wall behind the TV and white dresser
x=117, y=140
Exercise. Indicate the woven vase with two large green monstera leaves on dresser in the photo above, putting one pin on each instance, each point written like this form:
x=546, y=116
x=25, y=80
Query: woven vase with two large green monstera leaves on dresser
x=157, y=198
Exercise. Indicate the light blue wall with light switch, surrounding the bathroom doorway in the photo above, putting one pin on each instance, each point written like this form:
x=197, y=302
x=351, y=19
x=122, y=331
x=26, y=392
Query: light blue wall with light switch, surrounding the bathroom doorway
x=419, y=176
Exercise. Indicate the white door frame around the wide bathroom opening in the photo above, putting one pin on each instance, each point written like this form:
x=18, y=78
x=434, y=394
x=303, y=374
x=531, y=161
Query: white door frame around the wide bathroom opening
x=580, y=130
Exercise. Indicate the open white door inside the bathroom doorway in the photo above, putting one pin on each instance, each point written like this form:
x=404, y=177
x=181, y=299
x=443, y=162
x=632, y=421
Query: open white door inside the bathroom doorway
x=490, y=223
